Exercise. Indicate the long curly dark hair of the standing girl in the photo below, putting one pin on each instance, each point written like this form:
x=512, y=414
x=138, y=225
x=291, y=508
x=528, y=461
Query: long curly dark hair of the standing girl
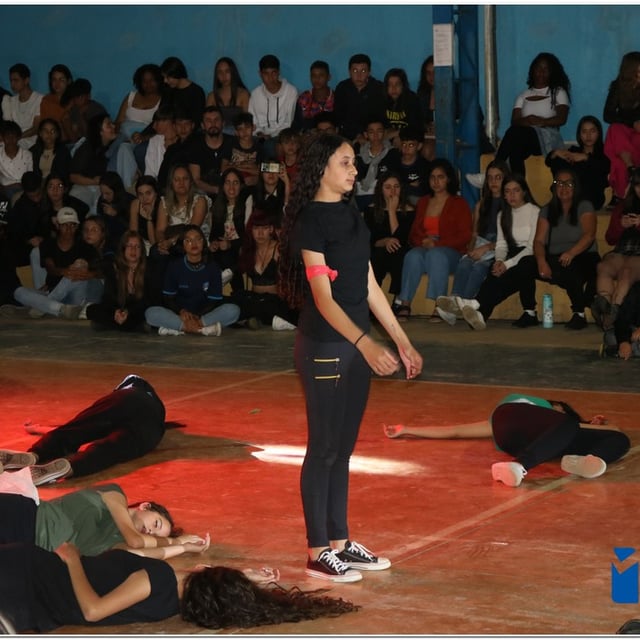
x=313, y=161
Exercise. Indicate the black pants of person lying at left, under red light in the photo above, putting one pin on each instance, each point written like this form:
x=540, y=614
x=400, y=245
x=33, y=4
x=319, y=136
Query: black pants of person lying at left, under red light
x=119, y=427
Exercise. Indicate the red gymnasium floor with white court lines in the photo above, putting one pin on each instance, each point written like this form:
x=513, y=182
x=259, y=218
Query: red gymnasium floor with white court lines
x=470, y=556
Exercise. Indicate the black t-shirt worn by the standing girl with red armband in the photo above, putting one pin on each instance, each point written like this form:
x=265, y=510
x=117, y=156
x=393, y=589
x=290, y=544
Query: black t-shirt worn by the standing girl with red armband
x=338, y=231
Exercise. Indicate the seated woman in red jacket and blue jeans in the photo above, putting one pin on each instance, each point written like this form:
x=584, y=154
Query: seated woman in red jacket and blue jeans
x=439, y=236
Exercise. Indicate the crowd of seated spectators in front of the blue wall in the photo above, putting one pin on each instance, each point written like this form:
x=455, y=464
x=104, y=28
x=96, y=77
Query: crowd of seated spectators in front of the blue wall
x=175, y=156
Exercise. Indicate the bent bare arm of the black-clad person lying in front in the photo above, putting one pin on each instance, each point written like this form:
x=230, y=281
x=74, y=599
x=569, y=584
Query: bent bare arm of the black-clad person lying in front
x=94, y=608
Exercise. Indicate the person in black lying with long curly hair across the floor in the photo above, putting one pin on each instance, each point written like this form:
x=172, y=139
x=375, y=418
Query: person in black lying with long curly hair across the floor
x=43, y=590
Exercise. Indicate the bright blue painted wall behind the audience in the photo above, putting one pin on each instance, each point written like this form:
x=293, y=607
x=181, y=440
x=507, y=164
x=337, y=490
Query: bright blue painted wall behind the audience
x=107, y=43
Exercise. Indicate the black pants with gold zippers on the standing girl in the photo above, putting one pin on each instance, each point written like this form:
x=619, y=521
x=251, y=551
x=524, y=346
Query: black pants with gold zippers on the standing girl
x=336, y=380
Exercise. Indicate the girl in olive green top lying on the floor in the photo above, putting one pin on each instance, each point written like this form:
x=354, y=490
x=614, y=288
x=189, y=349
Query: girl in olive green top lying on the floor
x=94, y=519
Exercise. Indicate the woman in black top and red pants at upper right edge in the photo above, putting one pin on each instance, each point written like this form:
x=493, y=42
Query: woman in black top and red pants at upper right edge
x=622, y=113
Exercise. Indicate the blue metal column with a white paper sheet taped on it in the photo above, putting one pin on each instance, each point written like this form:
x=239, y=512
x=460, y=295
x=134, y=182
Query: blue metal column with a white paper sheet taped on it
x=445, y=99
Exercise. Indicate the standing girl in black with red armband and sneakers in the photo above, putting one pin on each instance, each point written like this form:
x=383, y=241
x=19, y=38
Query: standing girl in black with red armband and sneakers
x=334, y=352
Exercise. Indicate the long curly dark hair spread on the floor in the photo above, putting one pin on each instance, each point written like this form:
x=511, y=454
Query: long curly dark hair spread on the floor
x=220, y=597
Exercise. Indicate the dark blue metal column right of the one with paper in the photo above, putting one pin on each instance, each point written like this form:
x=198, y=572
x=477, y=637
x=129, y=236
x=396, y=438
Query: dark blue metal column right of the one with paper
x=468, y=143
